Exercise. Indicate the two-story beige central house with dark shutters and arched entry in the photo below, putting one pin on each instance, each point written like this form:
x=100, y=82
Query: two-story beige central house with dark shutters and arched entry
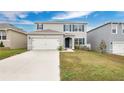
x=51, y=35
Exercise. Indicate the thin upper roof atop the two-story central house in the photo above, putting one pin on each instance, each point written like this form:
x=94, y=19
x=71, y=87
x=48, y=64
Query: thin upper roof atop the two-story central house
x=61, y=22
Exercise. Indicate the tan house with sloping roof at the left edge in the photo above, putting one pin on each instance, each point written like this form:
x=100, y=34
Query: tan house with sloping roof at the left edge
x=12, y=37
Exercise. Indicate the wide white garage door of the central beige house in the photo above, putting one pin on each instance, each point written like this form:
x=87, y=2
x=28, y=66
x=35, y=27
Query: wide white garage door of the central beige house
x=40, y=44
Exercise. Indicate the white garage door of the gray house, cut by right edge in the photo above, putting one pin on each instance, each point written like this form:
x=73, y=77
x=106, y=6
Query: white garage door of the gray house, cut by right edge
x=118, y=47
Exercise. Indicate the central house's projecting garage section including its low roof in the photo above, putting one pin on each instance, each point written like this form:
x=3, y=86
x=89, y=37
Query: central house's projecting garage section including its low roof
x=44, y=40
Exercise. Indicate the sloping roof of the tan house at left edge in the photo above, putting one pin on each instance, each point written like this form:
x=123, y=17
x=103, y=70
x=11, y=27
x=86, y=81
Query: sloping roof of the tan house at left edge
x=7, y=26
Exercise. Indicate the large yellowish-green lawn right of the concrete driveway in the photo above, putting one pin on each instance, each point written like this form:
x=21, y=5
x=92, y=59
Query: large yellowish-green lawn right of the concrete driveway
x=85, y=65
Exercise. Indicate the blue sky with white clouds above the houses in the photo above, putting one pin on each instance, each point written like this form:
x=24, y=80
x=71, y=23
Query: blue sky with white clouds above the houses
x=26, y=19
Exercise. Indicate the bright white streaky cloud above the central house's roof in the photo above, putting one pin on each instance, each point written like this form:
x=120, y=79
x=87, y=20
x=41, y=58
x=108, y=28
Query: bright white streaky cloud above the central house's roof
x=70, y=15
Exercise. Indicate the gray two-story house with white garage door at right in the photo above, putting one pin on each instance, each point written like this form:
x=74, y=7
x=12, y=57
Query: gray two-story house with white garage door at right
x=113, y=35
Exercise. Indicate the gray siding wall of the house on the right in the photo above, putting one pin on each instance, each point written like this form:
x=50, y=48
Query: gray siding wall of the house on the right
x=104, y=33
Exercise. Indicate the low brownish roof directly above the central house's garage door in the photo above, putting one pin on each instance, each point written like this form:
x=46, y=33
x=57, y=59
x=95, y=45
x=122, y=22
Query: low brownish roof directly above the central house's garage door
x=48, y=31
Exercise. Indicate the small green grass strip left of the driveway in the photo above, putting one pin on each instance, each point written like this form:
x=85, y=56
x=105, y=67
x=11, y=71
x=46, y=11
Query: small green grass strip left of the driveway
x=10, y=52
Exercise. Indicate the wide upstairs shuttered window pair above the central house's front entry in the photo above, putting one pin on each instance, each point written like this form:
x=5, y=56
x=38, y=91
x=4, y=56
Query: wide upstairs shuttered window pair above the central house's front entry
x=74, y=27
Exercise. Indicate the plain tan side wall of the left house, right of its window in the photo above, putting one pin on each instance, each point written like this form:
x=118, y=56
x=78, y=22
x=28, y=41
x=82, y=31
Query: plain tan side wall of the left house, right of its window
x=17, y=40
